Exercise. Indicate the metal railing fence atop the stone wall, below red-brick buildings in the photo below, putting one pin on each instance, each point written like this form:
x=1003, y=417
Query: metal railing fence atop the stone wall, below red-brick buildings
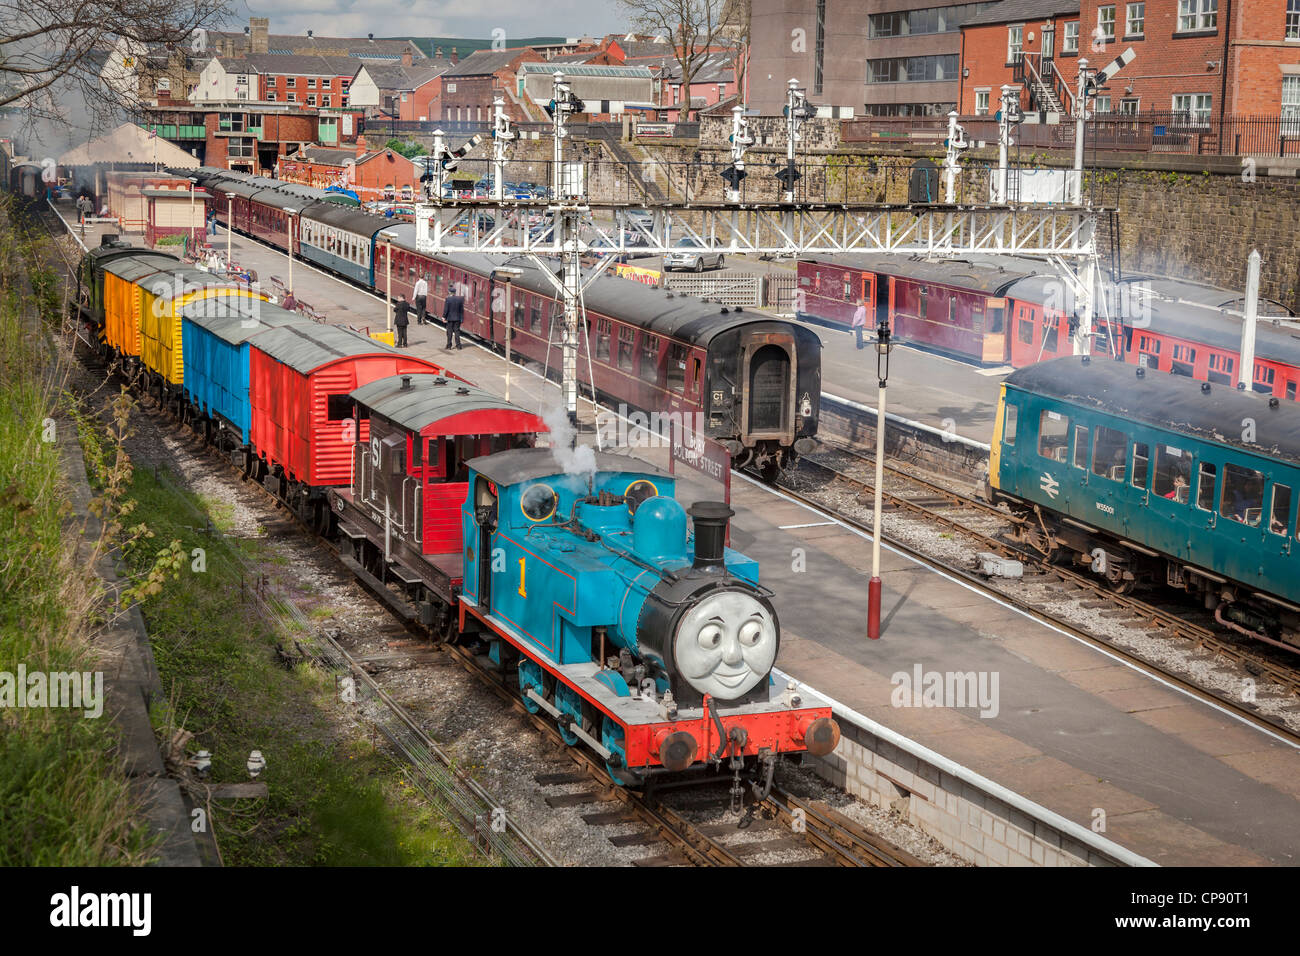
x=1152, y=132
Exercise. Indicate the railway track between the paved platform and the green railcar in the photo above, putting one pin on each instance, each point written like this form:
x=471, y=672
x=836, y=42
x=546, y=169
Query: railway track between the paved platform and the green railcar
x=982, y=525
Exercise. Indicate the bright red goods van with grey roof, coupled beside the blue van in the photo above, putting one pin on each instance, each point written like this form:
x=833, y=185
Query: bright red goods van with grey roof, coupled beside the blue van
x=300, y=383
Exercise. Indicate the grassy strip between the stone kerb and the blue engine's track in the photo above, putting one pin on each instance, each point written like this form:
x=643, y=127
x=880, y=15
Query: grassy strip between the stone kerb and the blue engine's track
x=335, y=799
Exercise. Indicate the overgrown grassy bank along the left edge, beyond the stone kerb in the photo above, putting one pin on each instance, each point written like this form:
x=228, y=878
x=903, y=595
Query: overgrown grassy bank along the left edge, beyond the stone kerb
x=63, y=798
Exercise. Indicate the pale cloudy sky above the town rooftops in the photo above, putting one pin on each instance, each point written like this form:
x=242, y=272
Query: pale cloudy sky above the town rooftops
x=476, y=19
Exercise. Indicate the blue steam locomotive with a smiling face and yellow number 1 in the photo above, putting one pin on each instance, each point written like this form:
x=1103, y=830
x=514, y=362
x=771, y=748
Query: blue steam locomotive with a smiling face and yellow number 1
x=652, y=647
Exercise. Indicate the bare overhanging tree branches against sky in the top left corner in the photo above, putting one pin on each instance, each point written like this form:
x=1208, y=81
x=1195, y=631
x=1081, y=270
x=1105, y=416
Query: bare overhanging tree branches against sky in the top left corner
x=54, y=51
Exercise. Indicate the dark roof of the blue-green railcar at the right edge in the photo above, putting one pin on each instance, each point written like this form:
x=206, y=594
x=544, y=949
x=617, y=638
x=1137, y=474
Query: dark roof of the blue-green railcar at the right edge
x=1175, y=403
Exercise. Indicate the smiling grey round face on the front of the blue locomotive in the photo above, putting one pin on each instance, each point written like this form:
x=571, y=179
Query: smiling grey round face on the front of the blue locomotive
x=726, y=644
